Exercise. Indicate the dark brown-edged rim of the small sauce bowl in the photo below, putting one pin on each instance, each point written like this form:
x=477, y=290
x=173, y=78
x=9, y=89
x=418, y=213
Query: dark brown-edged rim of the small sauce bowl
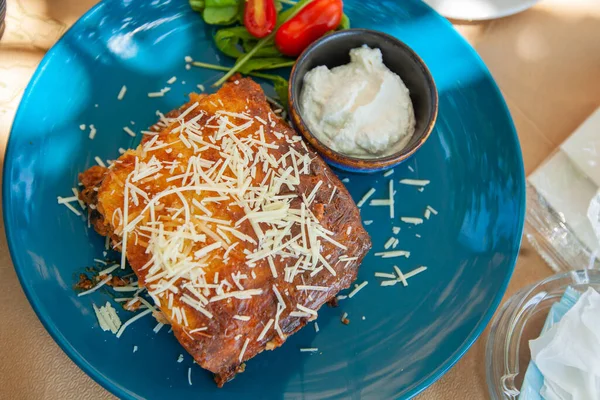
x=376, y=162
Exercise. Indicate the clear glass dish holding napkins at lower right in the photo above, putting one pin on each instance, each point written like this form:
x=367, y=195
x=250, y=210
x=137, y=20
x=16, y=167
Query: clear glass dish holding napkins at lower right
x=520, y=320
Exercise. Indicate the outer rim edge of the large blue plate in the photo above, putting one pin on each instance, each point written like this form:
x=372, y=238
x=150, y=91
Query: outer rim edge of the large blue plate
x=122, y=392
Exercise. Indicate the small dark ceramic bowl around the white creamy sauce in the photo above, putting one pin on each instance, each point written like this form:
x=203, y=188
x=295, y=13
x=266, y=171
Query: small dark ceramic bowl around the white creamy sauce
x=334, y=50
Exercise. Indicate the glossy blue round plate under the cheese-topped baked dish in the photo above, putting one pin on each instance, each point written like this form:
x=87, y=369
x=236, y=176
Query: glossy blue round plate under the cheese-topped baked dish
x=410, y=335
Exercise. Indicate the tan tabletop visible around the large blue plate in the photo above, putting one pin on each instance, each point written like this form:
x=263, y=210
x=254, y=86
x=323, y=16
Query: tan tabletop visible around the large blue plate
x=545, y=60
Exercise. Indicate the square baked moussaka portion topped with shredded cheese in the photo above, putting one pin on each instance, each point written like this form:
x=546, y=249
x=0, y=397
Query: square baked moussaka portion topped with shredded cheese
x=238, y=231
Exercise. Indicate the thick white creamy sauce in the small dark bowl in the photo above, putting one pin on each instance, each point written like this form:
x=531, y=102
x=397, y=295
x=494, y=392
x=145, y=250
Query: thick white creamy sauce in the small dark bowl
x=361, y=109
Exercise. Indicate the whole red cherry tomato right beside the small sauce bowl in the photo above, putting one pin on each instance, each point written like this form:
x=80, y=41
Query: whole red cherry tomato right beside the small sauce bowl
x=313, y=21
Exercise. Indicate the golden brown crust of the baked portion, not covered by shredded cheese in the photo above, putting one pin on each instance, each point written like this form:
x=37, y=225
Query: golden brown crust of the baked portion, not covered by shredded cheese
x=218, y=347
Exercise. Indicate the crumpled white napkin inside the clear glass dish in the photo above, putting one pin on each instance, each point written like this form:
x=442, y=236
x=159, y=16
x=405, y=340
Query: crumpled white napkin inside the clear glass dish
x=568, y=354
